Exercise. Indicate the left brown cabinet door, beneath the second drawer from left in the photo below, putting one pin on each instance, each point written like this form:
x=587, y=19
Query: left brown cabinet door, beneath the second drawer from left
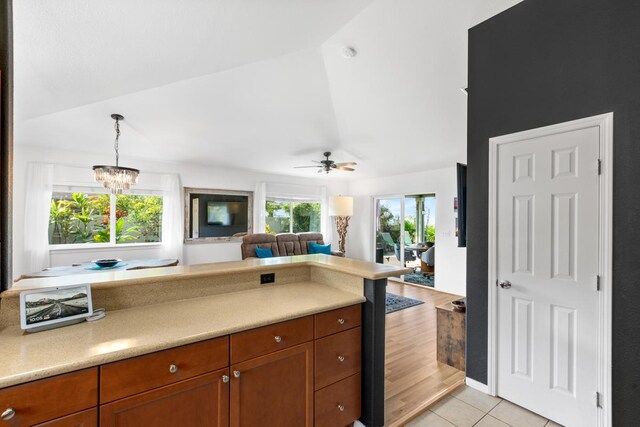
x=200, y=401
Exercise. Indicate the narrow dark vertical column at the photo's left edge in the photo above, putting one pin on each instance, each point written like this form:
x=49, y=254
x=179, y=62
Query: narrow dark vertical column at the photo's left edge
x=6, y=142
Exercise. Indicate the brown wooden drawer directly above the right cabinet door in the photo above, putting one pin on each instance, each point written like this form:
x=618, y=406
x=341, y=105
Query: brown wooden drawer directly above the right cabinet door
x=265, y=340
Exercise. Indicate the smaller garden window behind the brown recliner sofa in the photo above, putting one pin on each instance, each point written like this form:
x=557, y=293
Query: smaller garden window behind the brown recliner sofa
x=288, y=216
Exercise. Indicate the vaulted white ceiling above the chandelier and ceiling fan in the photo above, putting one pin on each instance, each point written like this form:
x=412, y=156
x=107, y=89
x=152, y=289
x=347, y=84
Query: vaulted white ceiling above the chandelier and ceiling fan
x=254, y=84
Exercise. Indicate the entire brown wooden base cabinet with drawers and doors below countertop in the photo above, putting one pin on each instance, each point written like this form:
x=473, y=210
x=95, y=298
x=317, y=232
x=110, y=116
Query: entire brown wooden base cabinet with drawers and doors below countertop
x=293, y=373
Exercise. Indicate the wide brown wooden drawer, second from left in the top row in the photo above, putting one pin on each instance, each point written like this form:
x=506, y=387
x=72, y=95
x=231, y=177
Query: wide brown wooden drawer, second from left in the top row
x=131, y=376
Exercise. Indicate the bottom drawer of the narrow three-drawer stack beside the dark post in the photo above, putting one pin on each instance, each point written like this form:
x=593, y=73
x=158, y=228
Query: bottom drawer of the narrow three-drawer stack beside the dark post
x=338, y=404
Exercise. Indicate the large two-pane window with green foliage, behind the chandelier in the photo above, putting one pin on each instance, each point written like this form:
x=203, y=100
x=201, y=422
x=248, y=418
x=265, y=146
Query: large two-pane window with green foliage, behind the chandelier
x=86, y=217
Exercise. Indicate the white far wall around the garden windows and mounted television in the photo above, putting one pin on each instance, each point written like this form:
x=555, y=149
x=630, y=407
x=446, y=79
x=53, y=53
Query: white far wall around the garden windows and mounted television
x=191, y=175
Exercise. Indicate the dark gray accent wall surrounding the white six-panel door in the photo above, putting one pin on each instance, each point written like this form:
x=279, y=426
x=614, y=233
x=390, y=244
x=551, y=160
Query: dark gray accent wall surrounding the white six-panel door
x=544, y=62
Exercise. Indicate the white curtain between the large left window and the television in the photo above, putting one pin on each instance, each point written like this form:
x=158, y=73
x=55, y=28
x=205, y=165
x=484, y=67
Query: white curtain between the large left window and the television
x=172, y=218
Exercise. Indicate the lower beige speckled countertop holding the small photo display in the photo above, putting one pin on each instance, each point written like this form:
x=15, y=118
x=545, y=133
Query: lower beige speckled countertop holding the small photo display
x=146, y=329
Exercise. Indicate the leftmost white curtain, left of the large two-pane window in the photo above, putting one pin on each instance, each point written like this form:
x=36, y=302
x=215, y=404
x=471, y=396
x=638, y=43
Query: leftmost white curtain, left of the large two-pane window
x=36, y=216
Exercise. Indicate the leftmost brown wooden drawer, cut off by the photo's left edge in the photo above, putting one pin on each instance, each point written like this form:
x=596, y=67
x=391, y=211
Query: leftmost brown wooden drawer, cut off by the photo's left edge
x=50, y=398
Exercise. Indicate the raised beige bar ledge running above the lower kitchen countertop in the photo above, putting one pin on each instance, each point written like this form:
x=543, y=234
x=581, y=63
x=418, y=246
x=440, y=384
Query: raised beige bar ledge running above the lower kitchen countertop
x=364, y=269
